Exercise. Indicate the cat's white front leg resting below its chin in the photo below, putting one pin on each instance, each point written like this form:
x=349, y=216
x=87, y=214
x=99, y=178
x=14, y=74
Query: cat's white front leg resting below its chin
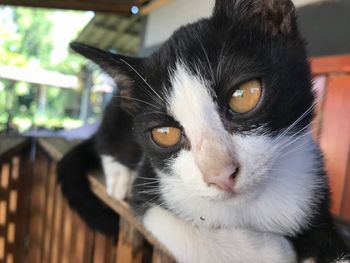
x=190, y=244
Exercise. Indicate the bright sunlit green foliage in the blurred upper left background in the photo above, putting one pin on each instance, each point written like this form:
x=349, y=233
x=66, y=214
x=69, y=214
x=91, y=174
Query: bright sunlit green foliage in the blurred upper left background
x=27, y=39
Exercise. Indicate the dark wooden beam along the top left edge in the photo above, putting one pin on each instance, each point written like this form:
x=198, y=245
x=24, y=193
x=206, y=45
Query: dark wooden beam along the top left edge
x=116, y=6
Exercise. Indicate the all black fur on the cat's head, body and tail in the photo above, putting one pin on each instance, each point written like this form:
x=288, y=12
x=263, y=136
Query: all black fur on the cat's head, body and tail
x=244, y=39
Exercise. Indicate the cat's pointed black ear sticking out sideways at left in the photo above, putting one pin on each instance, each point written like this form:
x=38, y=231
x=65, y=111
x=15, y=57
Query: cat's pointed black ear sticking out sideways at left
x=124, y=70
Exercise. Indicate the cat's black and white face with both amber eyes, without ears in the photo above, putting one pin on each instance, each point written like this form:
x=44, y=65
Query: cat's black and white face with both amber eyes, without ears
x=221, y=90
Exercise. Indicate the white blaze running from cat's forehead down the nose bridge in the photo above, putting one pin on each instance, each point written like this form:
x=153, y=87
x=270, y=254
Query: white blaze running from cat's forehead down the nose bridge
x=191, y=103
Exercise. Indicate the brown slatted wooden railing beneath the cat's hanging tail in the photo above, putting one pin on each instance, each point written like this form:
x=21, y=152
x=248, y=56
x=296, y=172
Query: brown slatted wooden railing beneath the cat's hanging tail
x=36, y=224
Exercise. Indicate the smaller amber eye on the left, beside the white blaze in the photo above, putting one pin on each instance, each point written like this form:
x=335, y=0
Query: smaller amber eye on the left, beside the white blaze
x=166, y=136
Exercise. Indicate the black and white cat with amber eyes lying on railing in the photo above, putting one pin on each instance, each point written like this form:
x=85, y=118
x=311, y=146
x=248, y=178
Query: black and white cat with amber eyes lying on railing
x=213, y=133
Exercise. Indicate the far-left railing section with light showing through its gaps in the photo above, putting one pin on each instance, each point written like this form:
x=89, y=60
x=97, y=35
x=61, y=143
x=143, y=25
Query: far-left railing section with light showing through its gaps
x=14, y=177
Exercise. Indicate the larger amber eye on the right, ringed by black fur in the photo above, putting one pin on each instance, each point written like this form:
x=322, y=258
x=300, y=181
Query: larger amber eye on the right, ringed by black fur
x=246, y=97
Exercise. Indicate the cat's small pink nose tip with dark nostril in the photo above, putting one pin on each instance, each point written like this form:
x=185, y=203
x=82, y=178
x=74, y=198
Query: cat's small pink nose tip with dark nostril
x=225, y=179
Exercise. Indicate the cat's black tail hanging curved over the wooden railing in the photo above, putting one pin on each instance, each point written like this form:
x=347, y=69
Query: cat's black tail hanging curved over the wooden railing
x=72, y=174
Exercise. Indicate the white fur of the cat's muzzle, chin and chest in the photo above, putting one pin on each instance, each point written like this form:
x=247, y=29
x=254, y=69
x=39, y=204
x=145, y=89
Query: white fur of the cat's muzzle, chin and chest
x=275, y=199
